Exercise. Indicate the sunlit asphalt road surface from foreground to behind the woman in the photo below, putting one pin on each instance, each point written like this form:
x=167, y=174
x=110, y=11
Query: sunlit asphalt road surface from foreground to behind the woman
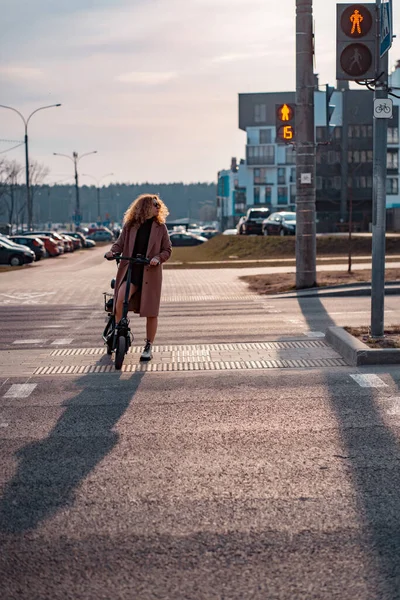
x=240, y=484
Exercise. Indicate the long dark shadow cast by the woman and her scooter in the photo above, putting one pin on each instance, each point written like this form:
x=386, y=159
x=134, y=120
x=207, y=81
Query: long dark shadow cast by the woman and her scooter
x=50, y=470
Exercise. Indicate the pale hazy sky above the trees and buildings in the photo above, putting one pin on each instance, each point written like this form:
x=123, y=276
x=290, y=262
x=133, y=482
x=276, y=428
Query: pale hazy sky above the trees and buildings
x=152, y=85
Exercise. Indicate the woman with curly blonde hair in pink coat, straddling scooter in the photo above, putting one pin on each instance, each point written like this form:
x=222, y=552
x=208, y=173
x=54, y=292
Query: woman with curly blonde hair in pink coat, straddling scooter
x=144, y=232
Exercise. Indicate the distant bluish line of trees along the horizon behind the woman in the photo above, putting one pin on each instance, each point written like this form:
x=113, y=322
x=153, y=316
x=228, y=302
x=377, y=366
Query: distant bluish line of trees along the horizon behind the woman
x=56, y=203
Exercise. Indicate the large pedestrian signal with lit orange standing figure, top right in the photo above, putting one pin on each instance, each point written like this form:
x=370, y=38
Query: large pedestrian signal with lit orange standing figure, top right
x=356, y=43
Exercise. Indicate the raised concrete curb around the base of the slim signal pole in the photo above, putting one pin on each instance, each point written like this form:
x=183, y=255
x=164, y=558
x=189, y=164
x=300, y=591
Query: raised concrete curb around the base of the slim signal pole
x=356, y=353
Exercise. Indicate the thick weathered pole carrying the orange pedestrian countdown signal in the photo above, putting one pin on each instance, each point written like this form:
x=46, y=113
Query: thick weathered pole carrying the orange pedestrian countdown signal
x=305, y=148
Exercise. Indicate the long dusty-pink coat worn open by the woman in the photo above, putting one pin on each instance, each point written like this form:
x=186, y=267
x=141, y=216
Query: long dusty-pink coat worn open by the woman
x=147, y=301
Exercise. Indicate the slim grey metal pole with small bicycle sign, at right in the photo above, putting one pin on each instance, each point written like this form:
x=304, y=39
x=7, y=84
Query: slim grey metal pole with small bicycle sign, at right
x=379, y=202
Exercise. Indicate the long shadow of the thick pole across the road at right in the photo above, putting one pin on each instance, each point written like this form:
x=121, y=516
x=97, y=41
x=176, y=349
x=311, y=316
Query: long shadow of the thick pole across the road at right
x=372, y=453
